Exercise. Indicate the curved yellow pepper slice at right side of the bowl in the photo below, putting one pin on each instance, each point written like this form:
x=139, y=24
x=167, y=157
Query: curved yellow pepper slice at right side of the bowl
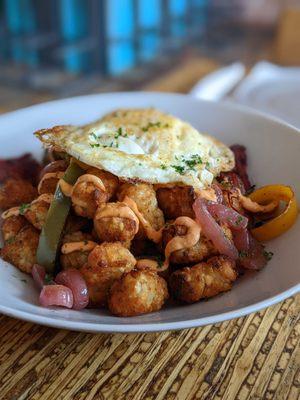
x=281, y=223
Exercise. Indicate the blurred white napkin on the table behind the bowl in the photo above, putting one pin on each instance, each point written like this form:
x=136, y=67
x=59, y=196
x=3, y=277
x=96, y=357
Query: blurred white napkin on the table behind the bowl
x=268, y=88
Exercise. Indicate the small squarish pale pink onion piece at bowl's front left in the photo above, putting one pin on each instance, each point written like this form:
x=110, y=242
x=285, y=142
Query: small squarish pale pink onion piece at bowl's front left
x=56, y=295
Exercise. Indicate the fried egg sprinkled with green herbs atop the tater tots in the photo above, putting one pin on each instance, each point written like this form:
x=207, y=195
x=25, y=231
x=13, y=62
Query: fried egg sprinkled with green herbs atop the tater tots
x=145, y=145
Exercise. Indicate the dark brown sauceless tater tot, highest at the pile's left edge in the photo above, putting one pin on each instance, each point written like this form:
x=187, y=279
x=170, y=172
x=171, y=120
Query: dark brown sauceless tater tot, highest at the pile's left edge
x=14, y=192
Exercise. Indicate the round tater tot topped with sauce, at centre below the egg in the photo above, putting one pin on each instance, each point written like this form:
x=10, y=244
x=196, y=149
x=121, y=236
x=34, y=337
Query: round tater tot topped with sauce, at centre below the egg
x=115, y=222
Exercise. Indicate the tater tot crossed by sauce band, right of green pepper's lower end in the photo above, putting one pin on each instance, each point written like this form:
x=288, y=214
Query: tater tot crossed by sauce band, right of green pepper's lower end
x=76, y=259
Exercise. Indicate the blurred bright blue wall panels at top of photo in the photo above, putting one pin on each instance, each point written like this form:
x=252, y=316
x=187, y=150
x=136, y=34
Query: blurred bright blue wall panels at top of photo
x=132, y=35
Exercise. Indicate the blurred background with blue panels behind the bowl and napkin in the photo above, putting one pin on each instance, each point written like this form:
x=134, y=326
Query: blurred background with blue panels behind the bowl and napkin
x=59, y=48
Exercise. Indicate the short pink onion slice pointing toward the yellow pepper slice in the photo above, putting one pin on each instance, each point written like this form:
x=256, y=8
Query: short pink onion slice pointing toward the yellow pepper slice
x=227, y=215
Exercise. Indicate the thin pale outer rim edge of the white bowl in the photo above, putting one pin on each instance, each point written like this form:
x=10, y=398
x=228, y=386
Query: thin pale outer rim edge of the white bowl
x=156, y=326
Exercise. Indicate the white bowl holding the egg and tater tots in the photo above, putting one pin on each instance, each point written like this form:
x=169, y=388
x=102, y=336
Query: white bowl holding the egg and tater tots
x=273, y=151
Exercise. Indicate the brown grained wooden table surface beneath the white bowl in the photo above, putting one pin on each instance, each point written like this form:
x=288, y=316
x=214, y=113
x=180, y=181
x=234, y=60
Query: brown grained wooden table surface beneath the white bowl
x=254, y=357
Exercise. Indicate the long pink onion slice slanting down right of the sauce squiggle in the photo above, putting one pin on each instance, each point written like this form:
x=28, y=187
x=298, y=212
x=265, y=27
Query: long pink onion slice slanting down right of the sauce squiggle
x=212, y=230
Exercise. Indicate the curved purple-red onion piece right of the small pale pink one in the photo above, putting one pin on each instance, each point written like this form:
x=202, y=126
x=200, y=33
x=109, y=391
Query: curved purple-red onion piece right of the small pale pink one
x=74, y=281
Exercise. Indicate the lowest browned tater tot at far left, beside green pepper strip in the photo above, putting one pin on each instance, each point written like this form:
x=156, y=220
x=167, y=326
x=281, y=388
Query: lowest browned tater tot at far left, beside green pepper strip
x=21, y=251
